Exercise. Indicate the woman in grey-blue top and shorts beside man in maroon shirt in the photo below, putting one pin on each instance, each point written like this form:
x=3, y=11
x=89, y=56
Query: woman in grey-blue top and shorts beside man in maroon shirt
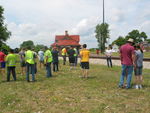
x=139, y=67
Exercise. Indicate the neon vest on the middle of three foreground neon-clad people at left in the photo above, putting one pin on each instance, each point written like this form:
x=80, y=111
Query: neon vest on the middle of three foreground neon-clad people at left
x=29, y=57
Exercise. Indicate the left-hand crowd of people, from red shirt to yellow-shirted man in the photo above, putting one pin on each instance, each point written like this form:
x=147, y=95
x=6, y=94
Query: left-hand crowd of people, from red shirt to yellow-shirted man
x=46, y=58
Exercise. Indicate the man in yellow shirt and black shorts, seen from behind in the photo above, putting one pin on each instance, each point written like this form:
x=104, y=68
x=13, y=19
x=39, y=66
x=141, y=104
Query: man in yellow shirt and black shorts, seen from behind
x=84, y=54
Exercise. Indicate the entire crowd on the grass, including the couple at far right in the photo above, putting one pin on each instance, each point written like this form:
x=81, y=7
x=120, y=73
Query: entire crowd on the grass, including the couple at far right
x=131, y=56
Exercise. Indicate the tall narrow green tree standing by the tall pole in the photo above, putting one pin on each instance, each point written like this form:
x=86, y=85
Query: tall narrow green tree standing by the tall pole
x=102, y=34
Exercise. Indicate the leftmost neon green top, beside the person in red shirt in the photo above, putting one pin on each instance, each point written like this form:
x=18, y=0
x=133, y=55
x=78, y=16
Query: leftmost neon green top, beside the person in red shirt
x=11, y=60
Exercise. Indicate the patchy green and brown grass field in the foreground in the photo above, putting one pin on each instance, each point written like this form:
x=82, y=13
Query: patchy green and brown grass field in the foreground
x=66, y=92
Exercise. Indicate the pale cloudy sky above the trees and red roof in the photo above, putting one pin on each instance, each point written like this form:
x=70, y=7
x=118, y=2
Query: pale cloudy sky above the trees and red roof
x=41, y=20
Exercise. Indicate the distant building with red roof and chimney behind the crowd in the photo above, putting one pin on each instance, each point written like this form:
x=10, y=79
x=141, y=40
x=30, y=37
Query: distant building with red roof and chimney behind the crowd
x=66, y=40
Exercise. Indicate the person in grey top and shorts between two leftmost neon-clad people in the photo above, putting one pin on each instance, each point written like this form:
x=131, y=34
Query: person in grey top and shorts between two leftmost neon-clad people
x=22, y=61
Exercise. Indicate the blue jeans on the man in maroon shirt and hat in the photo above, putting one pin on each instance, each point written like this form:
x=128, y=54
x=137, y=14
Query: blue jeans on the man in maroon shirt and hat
x=126, y=70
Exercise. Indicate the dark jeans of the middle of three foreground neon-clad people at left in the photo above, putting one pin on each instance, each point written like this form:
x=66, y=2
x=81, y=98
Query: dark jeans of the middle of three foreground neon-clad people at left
x=30, y=69
